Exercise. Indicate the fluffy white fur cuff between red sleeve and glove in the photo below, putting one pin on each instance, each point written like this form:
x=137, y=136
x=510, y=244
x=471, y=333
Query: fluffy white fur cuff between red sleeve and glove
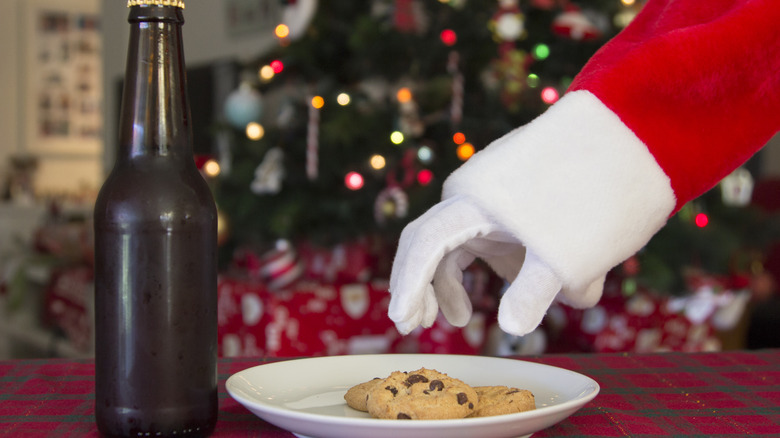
x=575, y=186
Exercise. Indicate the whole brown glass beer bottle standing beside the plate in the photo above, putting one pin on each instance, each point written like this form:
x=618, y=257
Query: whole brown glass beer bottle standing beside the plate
x=155, y=252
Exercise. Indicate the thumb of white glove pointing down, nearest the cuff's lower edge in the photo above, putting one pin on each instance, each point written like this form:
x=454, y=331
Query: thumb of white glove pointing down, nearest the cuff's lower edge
x=527, y=299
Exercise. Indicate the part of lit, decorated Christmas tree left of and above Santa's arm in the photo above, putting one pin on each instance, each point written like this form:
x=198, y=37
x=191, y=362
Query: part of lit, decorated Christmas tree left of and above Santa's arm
x=377, y=102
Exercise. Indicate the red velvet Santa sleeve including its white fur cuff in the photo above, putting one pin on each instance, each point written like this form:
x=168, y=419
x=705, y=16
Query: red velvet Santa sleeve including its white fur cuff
x=660, y=114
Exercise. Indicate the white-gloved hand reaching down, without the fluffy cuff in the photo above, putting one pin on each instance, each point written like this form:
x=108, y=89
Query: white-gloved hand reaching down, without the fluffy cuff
x=436, y=248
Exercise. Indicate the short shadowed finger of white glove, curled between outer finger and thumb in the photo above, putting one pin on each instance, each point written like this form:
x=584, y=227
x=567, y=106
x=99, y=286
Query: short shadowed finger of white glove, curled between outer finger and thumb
x=453, y=299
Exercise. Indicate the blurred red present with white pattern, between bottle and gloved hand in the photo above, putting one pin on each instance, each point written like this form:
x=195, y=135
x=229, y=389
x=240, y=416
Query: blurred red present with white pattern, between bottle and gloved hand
x=315, y=319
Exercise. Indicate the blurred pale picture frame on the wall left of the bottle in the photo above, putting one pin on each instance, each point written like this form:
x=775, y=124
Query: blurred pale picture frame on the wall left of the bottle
x=61, y=78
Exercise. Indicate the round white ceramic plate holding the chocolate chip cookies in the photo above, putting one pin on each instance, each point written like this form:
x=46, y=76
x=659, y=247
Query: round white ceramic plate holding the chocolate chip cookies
x=306, y=396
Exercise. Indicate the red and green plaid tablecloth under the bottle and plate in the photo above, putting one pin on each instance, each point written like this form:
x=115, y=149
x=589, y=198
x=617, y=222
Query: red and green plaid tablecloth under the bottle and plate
x=733, y=393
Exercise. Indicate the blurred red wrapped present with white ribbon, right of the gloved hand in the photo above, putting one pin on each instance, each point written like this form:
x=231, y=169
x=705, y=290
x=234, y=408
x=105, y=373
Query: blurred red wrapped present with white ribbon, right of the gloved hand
x=645, y=321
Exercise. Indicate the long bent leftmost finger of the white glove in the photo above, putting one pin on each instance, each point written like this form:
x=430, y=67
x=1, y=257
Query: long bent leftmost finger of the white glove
x=423, y=243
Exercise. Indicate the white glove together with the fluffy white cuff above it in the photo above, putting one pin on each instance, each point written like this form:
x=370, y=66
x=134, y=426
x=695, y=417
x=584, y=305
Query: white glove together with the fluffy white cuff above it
x=549, y=209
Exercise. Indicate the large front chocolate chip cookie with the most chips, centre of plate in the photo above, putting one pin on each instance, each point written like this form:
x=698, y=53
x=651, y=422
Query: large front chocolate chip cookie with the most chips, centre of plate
x=421, y=395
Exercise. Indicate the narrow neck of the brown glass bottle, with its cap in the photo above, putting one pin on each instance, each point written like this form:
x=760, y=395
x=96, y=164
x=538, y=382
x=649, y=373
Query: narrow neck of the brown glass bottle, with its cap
x=155, y=114
